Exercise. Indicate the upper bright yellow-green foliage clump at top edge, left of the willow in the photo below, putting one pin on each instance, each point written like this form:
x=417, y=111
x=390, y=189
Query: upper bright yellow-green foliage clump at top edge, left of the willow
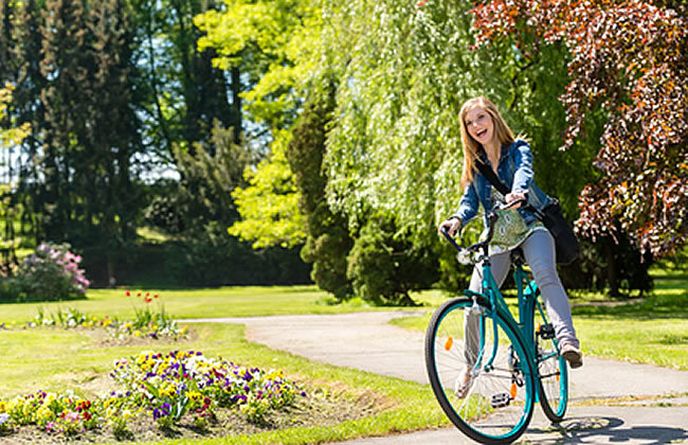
x=281, y=42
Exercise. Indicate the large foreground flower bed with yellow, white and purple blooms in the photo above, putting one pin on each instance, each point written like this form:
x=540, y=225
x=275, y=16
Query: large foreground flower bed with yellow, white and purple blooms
x=155, y=388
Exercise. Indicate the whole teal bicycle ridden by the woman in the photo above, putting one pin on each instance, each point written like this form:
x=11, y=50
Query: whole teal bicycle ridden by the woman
x=487, y=370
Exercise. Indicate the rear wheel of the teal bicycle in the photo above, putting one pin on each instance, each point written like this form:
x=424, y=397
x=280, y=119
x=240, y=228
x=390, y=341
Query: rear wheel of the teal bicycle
x=553, y=381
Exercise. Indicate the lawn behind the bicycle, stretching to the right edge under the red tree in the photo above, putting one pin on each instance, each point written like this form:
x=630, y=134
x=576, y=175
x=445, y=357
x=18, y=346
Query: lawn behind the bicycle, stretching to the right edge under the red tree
x=652, y=331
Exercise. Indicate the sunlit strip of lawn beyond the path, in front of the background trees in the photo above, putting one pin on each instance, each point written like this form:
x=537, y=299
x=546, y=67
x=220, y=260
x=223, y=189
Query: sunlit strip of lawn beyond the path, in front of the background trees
x=246, y=301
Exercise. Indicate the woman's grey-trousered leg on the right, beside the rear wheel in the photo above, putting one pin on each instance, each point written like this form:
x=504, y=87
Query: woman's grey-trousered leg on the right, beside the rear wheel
x=540, y=254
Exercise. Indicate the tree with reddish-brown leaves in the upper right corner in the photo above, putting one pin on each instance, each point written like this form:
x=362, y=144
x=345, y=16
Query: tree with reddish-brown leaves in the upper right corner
x=631, y=60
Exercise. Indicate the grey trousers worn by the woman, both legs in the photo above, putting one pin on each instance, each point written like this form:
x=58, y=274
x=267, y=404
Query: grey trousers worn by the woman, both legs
x=539, y=253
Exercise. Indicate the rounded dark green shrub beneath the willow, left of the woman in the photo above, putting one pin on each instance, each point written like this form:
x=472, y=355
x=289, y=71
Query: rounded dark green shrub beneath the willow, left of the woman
x=384, y=268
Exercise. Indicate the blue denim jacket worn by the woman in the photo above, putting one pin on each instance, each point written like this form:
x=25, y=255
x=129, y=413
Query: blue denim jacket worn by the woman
x=516, y=171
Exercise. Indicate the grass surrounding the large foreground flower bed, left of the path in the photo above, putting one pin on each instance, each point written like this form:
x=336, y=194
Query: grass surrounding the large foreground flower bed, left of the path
x=50, y=359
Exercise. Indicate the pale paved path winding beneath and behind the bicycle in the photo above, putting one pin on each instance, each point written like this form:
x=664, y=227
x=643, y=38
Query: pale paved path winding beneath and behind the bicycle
x=366, y=341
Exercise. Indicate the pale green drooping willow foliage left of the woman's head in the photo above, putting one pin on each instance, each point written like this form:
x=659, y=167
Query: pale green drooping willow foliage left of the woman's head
x=394, y=144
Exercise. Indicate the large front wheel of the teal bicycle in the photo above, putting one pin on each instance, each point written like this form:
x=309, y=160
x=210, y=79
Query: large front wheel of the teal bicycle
x=479, y=372
